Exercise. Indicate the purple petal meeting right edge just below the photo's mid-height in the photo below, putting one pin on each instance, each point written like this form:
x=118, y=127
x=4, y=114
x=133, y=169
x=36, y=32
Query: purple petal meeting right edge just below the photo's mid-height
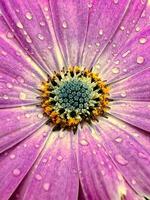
x=133, y=112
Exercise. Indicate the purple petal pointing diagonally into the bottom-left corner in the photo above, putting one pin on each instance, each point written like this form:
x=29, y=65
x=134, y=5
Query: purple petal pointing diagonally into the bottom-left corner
x=17, y=162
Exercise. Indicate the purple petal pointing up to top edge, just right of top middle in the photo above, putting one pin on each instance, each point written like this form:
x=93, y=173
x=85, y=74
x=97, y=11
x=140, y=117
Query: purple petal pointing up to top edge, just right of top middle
x=104, y=21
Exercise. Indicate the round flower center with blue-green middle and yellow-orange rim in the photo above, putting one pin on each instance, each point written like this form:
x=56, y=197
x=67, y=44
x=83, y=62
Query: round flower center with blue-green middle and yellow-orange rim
x=74, y=96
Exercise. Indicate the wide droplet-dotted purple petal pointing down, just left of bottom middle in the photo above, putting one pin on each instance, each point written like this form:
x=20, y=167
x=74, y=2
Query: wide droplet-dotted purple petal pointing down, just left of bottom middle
x=54, y=175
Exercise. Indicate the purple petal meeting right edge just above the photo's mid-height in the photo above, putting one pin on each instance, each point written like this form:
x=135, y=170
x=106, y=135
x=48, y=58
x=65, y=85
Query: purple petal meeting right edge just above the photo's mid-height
x=135, y=88
